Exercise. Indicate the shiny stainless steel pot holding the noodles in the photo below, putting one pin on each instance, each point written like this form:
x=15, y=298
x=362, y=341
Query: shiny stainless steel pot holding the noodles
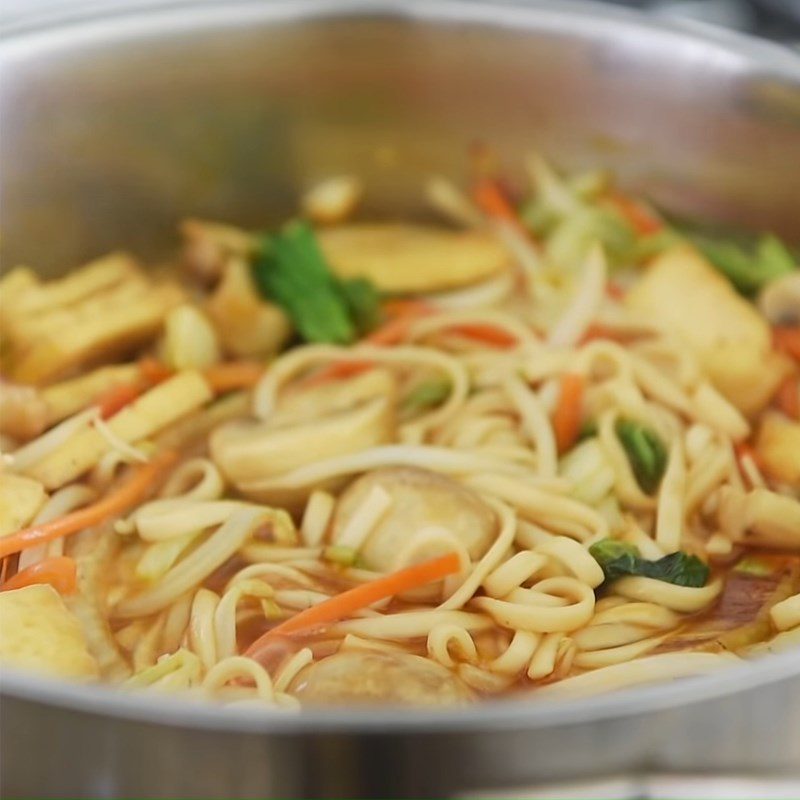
x=114, y=128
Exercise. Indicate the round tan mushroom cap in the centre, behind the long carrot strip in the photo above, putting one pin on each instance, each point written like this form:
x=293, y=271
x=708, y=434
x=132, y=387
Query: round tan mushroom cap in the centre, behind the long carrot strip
x=427, y=512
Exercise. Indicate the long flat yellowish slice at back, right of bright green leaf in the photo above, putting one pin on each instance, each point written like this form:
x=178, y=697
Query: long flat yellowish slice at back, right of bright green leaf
x=412, y=258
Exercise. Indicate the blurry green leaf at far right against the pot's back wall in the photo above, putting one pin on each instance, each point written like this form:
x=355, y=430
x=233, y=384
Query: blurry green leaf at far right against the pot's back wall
x=748, y=269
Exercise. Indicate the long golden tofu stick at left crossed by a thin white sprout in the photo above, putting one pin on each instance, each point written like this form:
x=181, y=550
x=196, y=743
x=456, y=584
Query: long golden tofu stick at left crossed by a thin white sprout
x=150, y=413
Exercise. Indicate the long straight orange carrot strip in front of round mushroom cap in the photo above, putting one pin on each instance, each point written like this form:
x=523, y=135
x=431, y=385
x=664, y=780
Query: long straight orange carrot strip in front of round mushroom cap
x=360, y=597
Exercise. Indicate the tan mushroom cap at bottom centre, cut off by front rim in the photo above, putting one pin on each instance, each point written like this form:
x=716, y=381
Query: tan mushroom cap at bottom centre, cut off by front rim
x=364, y=677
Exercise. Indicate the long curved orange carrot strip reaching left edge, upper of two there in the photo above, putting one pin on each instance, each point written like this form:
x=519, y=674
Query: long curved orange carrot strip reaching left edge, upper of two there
x=114, y=503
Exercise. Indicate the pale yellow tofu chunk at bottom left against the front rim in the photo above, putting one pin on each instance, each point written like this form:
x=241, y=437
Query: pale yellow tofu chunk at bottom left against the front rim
x=39, y=634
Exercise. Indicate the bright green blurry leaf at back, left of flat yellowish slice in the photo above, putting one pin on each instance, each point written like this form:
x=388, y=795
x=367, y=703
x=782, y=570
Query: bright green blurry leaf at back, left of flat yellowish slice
x=291, y=270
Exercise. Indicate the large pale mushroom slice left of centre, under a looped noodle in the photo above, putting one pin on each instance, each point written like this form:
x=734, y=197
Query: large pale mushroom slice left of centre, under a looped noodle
x=326, y=423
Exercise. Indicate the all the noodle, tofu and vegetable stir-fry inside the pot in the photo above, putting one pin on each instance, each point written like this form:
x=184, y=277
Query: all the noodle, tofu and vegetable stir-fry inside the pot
x=547, y=443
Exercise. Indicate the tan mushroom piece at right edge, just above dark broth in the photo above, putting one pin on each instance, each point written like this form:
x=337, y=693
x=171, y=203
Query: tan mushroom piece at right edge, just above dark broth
x=760, y=518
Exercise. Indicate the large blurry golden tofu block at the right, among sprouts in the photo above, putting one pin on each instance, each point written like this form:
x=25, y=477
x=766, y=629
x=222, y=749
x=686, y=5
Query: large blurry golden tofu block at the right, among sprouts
x=684, y=295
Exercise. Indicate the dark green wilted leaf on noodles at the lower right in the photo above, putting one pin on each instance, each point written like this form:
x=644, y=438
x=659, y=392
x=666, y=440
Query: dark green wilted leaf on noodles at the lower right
x=618, y=559
